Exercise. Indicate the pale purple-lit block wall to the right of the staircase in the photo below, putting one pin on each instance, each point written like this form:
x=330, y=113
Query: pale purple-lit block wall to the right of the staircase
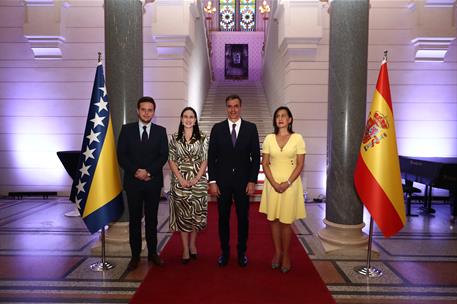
x=424, y=94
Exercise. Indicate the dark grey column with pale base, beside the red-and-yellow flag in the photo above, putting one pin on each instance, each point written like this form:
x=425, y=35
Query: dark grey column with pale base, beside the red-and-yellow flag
x=346, y=119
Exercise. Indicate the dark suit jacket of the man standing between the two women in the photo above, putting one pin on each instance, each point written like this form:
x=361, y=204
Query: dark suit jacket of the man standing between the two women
x=234, y=165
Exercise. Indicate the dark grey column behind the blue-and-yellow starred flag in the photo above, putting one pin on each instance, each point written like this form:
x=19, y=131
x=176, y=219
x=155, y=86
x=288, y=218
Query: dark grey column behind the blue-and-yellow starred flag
x=124, y=83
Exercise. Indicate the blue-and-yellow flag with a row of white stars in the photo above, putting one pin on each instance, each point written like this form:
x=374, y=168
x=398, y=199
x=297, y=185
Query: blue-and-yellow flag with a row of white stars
x=97, y=184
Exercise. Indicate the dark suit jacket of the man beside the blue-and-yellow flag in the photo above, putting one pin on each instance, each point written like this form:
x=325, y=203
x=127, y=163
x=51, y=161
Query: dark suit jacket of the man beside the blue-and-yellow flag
x=133, y=155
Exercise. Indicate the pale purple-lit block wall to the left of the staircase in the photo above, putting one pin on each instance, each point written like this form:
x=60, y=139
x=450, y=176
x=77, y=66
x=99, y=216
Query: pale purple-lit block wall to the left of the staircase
x=44, y=103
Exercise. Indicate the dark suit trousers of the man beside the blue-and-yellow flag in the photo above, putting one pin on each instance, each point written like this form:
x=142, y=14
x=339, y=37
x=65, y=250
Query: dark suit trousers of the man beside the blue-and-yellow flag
x=146, y=199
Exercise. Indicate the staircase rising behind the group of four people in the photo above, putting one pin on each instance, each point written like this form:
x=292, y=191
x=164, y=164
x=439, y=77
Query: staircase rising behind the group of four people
x=254, y=108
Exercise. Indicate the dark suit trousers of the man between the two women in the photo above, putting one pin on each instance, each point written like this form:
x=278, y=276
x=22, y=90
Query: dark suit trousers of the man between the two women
x=237, y=194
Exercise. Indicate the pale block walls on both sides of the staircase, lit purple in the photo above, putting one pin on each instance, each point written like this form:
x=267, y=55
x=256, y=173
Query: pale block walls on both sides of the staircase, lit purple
x=43, y=103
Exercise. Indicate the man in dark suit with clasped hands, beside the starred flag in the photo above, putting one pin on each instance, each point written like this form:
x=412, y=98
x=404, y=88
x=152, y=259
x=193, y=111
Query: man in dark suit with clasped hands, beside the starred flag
x=142, y=152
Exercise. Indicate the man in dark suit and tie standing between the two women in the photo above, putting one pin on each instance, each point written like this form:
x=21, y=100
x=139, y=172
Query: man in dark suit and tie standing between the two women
x=233, y=166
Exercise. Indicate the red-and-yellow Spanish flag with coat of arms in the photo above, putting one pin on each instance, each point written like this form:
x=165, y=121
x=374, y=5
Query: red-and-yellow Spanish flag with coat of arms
x=377, y=176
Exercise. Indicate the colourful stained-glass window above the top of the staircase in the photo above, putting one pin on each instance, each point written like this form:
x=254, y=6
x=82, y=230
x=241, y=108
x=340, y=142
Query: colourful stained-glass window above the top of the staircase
x=237, y=15
